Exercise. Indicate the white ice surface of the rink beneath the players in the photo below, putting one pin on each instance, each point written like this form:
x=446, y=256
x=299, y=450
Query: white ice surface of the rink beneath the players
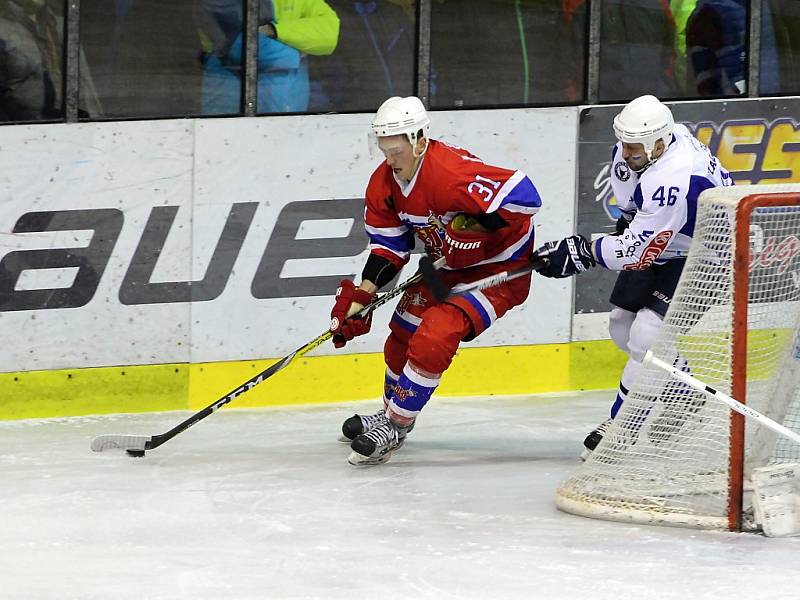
x=261, y=504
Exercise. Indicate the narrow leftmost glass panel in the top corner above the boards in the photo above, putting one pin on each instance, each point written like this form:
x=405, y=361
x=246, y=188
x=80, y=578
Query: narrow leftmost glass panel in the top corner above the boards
x=31, y=60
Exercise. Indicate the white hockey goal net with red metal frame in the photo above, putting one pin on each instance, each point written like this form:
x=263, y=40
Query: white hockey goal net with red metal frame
x=673, y=456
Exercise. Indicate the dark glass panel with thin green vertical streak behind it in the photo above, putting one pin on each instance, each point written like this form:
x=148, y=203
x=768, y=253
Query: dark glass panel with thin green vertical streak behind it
x=507, y=52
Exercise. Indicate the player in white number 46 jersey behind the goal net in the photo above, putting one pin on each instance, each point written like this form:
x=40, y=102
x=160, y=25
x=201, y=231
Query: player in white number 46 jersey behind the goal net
x=658, y=171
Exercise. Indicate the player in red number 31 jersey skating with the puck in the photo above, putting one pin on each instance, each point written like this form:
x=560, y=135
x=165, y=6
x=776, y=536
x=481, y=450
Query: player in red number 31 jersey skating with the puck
x=478, y=216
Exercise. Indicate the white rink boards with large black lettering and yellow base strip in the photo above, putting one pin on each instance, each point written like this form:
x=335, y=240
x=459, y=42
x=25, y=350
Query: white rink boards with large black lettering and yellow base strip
x=157, y=264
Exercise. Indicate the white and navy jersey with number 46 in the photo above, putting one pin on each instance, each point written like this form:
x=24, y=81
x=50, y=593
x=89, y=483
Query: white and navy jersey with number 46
x=662, y=202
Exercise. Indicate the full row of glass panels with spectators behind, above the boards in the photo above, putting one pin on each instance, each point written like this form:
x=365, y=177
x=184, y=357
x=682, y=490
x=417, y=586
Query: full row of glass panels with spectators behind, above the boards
x=181, y=58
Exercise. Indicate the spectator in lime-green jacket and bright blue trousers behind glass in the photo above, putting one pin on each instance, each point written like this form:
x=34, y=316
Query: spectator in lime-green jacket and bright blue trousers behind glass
x=288, y=30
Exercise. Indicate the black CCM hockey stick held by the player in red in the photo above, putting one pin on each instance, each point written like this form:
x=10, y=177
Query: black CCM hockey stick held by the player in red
x=135, y=445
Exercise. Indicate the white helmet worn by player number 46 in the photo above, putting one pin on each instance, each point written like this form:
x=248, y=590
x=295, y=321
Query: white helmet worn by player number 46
x=644, y=120
